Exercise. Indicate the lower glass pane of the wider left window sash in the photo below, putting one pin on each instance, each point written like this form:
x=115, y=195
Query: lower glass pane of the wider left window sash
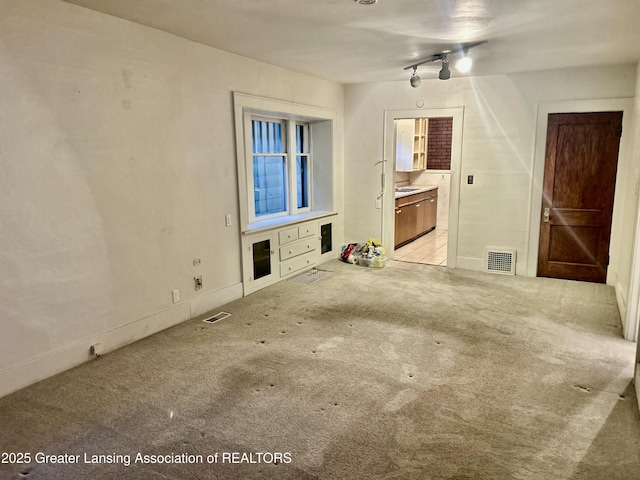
x=269, y=182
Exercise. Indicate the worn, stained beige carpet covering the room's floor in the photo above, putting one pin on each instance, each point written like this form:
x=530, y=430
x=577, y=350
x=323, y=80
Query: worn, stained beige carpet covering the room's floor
x=406, y=372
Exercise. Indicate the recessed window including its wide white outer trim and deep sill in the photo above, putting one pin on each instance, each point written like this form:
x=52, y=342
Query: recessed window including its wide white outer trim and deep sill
x=285, y=154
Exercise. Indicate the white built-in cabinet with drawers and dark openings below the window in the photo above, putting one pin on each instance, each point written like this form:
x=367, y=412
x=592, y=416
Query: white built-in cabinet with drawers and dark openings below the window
x=278, y=253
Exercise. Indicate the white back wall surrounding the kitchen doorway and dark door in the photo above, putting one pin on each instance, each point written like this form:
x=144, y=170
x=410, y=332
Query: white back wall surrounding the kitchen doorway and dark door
x=498, y=148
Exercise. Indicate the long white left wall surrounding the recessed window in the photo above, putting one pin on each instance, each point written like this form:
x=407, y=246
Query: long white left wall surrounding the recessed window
x=118, y=167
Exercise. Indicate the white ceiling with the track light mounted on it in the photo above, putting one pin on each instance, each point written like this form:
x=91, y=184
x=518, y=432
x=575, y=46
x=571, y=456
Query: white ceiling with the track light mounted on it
x=345, y=42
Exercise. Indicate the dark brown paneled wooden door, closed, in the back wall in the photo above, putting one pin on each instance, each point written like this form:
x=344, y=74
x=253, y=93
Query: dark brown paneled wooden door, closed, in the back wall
x=577, y=200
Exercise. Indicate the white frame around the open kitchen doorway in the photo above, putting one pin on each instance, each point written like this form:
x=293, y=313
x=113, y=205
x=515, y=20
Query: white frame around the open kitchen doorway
x=388, y=205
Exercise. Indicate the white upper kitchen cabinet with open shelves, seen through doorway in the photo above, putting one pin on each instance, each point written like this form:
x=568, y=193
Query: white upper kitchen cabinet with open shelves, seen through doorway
x=411, y=144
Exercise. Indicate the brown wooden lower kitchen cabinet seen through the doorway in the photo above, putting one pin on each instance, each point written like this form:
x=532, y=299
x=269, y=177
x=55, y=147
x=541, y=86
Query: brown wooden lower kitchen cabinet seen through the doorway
x=415, y=215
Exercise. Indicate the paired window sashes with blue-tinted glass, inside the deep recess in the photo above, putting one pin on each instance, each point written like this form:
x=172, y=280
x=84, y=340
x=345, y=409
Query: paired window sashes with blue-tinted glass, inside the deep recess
x=272, y=167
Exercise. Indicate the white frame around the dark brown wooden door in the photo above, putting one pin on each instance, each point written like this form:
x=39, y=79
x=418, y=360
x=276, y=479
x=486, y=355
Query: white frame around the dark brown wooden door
x=625, y=105
